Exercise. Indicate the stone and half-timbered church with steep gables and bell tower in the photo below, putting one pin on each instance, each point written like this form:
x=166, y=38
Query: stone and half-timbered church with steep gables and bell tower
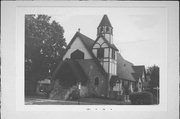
x=98, y=65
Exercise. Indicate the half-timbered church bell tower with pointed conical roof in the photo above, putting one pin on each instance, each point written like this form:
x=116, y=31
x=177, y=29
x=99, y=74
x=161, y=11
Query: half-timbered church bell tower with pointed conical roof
x=104, y=49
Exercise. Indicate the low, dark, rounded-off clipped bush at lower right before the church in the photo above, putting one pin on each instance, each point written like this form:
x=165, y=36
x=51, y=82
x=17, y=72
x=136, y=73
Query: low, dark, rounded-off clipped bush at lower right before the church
x=141, y=98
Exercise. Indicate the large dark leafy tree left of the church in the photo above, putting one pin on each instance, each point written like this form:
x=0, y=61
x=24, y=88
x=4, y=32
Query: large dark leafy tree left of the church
x=44, y=45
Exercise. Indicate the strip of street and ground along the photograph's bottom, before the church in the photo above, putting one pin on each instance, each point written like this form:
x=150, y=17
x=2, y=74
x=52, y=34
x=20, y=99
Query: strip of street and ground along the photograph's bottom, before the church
x=82, y=101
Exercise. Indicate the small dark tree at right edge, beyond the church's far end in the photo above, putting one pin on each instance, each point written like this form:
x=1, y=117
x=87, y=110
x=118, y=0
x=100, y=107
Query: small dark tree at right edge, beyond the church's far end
x=153, y=71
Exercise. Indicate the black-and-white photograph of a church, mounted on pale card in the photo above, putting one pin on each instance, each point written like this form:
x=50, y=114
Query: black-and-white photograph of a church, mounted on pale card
x=110, y=57
